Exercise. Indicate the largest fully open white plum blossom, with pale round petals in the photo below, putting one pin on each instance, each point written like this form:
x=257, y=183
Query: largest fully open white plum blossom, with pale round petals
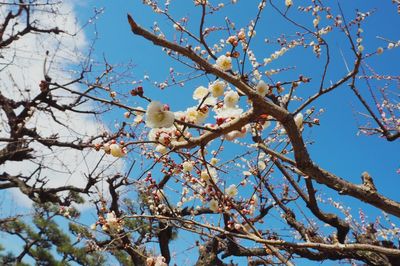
x=157, y=116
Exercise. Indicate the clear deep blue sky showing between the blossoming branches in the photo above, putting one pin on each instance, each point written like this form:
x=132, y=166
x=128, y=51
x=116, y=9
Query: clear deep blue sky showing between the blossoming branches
x=337, y=146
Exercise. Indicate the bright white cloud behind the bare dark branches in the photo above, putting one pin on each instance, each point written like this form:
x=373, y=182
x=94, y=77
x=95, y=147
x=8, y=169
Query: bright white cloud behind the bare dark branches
x=21, y=80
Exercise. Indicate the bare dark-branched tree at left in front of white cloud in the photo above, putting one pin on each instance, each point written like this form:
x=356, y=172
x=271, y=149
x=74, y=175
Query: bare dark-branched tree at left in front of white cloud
x=41, y=137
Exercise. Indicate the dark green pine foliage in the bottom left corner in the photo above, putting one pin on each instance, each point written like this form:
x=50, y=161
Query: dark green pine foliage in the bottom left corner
x=46, y=242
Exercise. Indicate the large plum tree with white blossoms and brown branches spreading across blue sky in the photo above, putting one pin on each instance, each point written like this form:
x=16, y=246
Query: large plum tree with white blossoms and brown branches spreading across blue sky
x=236, y=171
